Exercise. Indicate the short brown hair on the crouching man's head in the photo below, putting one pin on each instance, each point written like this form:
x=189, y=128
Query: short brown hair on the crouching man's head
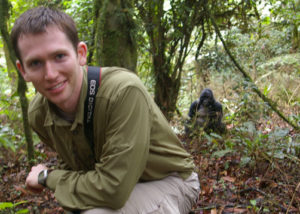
x=36, y=20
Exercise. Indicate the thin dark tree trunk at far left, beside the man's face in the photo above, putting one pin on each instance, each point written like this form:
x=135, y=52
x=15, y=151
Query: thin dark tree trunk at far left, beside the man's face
x=22, y=87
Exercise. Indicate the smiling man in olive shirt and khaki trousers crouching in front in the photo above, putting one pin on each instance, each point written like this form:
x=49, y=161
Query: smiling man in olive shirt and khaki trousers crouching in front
x=137, y=164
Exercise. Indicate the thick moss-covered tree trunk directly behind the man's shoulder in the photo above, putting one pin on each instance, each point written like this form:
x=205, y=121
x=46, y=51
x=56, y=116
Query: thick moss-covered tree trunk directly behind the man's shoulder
x=114, y=34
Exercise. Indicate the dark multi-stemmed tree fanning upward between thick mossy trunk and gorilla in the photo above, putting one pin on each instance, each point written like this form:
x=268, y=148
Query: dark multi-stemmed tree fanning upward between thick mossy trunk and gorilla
x=169, y=47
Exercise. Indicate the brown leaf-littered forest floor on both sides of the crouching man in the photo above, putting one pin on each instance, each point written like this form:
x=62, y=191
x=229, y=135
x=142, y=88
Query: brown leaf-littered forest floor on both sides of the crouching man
x=266, y=187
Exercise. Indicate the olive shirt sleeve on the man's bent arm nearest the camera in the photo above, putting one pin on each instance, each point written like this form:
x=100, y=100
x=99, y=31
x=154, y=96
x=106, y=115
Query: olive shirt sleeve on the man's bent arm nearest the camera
x=123, y=159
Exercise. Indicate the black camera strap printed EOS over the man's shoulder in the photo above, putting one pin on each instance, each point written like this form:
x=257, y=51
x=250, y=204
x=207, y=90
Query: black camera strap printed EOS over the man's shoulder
x=94, y=80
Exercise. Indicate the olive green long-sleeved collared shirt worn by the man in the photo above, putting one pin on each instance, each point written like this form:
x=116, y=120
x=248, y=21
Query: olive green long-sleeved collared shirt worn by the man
x=133, y=142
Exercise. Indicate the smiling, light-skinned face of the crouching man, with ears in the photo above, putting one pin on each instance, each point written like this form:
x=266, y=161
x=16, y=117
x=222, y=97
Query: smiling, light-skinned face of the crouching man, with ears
x=50, y=62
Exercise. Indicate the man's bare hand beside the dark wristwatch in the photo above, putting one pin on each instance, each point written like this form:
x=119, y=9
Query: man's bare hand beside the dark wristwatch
x=32, y=179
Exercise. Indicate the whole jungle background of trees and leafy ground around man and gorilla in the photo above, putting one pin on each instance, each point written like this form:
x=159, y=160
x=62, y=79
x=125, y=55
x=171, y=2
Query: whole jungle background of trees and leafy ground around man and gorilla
x=246, y=51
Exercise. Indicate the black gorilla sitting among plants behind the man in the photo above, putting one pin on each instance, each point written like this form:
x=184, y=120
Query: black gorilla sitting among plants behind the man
x=205, y=113
